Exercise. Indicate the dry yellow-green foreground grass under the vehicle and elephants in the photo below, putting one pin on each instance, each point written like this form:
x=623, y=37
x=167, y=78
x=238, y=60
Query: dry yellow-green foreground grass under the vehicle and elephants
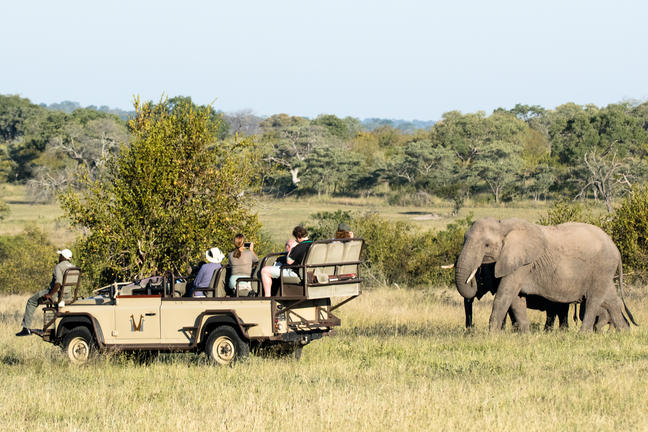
x=401, y=361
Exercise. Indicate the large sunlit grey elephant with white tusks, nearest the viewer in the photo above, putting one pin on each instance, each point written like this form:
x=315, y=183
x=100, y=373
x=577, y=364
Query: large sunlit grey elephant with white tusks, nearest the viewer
x=565, y=264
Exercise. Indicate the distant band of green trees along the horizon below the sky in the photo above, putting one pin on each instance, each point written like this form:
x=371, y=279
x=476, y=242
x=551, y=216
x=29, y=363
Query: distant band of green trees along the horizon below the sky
x=527, y=152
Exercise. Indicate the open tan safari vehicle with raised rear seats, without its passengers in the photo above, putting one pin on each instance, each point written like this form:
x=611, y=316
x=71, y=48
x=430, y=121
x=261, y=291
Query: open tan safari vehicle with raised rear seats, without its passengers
x=155, y=315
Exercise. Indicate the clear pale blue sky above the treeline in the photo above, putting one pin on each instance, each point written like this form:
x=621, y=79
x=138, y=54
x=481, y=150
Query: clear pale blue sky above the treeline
x=400, y=59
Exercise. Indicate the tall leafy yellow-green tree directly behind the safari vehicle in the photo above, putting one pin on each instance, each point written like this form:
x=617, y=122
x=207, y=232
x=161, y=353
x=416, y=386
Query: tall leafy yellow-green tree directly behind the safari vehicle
x=165, y=198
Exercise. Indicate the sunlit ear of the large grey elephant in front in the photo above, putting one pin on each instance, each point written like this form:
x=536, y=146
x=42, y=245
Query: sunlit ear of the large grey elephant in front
x=522, y=246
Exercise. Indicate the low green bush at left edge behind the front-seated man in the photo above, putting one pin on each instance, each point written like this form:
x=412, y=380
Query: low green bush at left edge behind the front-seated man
x=27, y=262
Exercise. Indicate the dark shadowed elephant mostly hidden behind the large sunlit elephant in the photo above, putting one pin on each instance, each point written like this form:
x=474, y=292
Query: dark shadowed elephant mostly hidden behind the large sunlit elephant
x=487, y=282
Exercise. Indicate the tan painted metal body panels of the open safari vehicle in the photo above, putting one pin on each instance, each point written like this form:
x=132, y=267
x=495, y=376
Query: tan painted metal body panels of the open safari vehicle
x=146, y=320
